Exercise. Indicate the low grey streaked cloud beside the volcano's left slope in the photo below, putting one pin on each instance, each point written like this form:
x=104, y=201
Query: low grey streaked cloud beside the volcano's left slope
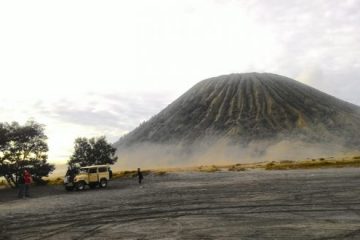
x=110, y=112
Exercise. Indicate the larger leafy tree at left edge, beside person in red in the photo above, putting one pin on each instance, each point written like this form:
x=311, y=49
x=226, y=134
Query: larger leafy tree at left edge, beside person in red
x=23, y=147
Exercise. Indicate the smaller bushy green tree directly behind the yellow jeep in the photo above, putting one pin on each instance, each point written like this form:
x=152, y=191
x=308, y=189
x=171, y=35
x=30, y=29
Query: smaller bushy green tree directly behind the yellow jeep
x=93, y=151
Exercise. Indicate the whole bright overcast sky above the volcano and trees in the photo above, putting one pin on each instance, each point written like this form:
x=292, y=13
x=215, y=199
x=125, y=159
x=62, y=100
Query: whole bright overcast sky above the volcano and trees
x=90, y=68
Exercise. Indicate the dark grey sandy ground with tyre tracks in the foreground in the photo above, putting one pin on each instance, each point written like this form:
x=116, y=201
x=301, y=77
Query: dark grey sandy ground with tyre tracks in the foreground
x=296, y=204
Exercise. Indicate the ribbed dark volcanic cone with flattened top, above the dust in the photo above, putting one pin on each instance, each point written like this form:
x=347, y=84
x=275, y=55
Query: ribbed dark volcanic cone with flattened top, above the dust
x=250, y=107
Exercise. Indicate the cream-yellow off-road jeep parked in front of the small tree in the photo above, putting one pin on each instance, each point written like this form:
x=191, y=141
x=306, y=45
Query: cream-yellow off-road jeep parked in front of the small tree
x=91, y=176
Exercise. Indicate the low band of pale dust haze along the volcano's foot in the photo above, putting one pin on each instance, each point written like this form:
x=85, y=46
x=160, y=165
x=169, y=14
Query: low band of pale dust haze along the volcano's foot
x=221, y=152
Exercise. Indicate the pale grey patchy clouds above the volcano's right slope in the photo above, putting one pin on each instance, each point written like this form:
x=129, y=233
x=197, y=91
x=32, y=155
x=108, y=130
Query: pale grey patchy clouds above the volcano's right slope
x=320, y=42
